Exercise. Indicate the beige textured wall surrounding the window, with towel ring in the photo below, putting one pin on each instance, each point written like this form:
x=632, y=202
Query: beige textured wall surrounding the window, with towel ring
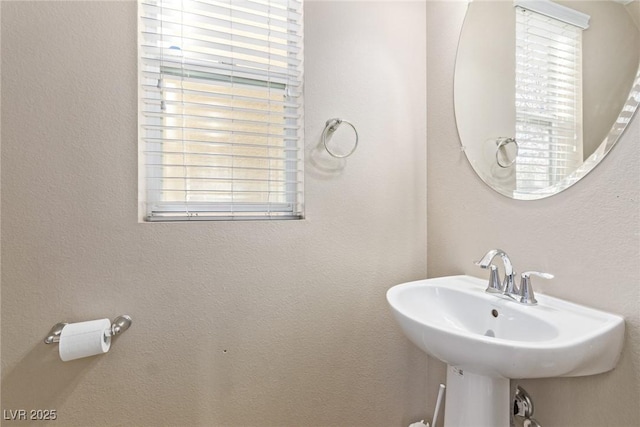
x=235, y=324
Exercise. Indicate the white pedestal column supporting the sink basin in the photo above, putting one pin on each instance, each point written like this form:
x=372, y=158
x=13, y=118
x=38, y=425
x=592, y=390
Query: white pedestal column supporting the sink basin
x=476, y=400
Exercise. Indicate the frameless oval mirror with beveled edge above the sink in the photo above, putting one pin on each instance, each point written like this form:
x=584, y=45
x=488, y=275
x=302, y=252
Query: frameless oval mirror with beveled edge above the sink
x=544, y=89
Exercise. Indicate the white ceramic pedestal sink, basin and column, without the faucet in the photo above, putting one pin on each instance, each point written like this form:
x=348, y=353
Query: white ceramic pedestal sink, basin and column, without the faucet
x=487, y=340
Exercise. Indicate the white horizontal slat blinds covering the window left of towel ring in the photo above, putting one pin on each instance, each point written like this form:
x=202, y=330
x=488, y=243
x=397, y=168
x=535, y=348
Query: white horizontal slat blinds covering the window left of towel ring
x=221, y=109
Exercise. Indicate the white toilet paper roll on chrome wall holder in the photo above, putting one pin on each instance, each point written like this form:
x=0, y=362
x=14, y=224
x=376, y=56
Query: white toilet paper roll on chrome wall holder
x=84, y=339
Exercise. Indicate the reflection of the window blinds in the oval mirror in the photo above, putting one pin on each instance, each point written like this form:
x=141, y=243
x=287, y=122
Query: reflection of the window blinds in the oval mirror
x=548, y=99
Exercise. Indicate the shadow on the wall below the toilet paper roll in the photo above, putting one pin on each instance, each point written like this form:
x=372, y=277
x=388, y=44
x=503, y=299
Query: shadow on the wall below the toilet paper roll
x=41, y=380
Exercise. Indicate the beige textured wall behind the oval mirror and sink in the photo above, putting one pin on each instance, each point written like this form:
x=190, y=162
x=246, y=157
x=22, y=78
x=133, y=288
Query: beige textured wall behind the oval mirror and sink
x=588, y=236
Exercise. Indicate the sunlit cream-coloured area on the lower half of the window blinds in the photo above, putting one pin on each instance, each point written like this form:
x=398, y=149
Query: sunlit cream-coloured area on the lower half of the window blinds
x=222, y=144
